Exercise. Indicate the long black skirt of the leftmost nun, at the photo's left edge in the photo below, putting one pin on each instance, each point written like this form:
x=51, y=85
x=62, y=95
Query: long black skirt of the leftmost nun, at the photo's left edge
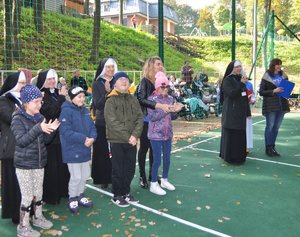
x=10, y=191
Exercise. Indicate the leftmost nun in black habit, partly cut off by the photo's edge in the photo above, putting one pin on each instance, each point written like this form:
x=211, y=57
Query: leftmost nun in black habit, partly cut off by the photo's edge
x=9, y=102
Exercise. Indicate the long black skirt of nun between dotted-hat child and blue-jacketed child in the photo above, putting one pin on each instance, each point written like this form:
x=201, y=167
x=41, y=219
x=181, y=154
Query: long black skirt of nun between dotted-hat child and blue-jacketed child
x=56, y=178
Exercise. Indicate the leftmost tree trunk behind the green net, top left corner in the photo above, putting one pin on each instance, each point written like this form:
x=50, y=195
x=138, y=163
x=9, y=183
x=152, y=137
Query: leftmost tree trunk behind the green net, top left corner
x=8, y=39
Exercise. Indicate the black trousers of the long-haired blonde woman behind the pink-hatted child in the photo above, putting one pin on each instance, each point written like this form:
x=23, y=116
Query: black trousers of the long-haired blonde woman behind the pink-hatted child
x=145, y=145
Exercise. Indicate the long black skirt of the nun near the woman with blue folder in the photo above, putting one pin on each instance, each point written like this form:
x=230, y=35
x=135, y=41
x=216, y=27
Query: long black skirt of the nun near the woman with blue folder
x=233, y=146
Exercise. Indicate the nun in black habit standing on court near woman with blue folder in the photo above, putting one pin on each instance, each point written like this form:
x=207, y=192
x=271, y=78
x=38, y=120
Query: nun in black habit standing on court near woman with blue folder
x=235, y=111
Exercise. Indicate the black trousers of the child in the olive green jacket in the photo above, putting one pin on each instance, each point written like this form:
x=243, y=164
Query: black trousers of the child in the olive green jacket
x=123, y=167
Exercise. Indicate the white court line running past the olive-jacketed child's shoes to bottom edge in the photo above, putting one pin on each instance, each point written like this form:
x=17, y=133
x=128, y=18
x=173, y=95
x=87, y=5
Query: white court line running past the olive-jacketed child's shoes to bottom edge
x=174, y=218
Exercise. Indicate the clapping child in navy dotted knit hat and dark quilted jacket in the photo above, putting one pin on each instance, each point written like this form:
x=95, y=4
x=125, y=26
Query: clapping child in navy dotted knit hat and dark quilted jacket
x=31, y=134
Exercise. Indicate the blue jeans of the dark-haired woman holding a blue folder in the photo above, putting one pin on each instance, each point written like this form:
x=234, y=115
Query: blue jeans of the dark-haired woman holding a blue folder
x=273, y=122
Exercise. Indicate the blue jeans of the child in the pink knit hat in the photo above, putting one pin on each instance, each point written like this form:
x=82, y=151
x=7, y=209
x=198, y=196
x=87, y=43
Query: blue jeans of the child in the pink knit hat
x=160, y=148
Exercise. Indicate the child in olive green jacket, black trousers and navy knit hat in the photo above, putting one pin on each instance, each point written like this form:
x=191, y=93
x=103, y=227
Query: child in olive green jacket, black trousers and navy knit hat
x=124, y=125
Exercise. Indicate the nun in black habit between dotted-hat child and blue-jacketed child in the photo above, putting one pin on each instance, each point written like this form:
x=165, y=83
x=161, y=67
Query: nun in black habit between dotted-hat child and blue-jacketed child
x=57, y=175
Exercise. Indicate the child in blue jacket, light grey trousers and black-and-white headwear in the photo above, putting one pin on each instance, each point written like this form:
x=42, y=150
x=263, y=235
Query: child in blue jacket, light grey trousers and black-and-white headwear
x=77, y=135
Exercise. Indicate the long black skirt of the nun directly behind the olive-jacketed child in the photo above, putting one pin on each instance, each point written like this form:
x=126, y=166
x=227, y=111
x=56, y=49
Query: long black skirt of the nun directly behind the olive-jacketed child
x=101, y=163
